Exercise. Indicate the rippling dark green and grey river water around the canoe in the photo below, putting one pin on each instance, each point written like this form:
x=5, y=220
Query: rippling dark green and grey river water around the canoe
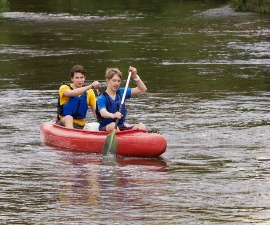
x=208, y=77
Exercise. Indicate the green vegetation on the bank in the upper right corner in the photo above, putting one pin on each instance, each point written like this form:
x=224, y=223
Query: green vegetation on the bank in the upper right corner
x=260, y=6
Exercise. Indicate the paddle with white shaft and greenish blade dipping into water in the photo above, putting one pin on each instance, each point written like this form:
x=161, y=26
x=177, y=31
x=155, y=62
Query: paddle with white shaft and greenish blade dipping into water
x=111, y=143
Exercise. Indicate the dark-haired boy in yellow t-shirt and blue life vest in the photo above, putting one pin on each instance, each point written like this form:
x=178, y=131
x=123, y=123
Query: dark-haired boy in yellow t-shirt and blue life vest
x=74, y=100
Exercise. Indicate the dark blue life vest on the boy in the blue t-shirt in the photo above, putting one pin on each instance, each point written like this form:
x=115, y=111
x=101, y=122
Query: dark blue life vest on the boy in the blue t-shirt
x=112, y=106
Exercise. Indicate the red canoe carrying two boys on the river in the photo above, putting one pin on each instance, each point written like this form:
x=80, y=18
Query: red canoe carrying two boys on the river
x=130, y=143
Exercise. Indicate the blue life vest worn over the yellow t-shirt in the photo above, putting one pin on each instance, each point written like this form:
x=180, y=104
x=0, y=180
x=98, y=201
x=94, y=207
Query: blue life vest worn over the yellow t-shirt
x=76, y=106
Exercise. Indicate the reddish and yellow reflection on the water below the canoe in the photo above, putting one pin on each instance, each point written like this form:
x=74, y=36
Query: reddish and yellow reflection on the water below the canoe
x=95, y=182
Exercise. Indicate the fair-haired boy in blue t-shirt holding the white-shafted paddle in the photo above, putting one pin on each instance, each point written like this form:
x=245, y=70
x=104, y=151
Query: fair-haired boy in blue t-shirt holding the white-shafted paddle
x=108, y=103
